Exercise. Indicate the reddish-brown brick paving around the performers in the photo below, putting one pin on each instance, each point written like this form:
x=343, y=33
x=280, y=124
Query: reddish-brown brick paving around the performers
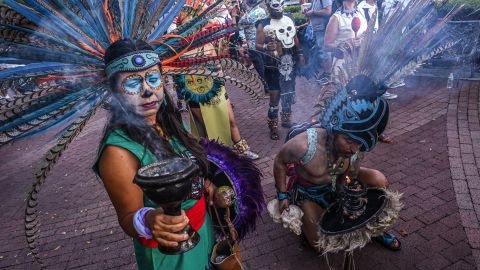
x=435, y=162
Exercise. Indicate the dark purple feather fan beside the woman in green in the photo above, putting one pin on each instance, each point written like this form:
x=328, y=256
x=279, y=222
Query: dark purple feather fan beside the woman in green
x=245, y=178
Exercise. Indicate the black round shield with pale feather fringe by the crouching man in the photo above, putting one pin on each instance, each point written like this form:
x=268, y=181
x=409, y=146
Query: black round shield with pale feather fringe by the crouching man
x=341, y=234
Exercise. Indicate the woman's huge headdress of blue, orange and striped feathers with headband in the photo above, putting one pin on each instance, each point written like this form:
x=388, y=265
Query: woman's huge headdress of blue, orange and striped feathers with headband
x=52, y=54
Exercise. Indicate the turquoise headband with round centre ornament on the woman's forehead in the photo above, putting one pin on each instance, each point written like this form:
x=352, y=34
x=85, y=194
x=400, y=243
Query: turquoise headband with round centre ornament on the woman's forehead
x=138, y=60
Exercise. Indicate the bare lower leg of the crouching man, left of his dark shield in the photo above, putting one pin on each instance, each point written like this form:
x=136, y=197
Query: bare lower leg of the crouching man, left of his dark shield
x=311, y=218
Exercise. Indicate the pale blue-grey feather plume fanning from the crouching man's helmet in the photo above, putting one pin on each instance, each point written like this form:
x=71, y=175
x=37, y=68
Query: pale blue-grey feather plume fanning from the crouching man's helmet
x=401, y=44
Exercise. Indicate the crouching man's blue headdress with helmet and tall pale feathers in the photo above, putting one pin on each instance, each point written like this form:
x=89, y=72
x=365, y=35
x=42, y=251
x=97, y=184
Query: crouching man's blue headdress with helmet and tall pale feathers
x=406, y=39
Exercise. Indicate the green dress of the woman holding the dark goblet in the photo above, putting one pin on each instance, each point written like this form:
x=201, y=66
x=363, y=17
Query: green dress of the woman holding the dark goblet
x=150, y=258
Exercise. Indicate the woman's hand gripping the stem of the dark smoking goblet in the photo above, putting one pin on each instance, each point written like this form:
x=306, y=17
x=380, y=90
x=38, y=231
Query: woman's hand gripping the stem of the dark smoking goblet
x=164, y=227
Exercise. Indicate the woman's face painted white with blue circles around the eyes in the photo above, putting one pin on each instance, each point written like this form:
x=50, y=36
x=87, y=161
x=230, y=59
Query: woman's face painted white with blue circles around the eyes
x=143, y=90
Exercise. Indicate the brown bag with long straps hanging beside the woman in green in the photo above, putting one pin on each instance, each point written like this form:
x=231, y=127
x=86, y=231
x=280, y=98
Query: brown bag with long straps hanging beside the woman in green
x=226, y=252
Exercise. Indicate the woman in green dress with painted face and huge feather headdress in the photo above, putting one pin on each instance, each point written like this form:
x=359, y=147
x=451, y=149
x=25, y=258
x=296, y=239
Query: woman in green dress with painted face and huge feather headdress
x=73, y=57
